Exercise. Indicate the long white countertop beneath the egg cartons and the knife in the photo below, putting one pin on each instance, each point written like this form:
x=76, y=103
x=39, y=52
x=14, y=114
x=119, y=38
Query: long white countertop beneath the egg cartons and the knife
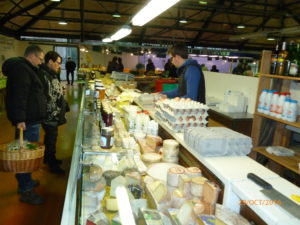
x=232, y=171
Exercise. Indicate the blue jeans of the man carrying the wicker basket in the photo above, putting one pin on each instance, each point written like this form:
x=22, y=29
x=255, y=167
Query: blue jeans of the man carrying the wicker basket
x=32, y=133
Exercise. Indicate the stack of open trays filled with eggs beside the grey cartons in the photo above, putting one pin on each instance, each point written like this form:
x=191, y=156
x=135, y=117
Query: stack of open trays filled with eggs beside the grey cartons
x=182, y=113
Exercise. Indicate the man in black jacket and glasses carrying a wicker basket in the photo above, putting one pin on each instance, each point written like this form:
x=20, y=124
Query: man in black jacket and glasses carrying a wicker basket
x=26, y=108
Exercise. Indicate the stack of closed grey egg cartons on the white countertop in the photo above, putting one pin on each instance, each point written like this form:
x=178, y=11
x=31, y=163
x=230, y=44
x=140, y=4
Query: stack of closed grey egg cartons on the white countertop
x=217, y=141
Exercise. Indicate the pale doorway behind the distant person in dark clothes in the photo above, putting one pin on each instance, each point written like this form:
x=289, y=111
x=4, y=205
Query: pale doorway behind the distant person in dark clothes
x=65, y=52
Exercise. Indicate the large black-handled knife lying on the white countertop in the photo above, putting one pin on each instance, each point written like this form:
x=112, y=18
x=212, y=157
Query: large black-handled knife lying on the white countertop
x=283, y=201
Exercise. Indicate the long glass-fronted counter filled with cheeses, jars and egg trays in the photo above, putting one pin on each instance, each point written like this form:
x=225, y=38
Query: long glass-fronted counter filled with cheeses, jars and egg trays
x=131, y=166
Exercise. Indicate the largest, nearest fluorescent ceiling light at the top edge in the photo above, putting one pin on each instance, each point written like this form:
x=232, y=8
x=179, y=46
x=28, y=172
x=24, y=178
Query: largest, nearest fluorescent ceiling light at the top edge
x=152, y=10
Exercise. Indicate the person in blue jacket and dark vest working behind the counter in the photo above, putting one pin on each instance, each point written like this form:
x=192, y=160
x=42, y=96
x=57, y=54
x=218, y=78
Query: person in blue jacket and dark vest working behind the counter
x=191, y=83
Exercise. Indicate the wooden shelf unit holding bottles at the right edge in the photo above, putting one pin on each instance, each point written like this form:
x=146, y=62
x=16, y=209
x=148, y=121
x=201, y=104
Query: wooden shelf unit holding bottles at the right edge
x=262, y=123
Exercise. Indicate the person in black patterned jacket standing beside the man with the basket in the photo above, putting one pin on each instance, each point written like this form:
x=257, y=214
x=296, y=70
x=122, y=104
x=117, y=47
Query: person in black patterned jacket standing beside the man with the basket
x=56, y=109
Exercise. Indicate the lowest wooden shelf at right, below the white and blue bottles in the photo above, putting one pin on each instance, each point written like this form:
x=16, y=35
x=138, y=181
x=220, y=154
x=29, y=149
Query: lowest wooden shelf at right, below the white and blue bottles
x=289, y=162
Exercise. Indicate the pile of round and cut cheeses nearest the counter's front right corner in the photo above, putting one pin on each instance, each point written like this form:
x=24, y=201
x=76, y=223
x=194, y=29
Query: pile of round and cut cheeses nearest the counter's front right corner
x=186, y=190
